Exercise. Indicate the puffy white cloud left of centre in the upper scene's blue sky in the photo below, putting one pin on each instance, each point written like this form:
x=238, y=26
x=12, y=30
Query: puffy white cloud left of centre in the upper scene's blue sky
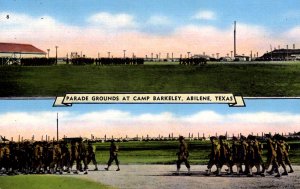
x=113, y=21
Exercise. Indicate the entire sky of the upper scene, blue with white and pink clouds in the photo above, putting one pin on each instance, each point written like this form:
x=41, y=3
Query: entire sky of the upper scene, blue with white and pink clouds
x=145, y=26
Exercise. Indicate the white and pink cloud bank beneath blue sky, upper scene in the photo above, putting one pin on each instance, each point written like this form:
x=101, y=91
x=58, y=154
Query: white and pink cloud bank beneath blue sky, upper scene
x=114, y=32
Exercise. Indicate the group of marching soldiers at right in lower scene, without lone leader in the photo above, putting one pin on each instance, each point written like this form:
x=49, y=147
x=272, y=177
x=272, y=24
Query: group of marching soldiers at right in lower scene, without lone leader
x=247, y=151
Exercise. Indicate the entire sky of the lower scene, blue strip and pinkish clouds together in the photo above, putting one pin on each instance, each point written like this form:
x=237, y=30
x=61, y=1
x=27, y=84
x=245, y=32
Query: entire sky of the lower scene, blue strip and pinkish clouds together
x=38, y=117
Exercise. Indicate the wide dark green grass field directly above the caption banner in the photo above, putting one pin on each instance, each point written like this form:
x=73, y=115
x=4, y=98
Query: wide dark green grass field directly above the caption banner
x=247, y=79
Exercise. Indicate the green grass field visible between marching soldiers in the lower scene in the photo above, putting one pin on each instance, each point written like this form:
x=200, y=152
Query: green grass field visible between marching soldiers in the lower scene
x=164, y=152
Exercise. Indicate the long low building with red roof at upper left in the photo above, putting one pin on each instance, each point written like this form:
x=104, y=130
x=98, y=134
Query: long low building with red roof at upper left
x=15, y=50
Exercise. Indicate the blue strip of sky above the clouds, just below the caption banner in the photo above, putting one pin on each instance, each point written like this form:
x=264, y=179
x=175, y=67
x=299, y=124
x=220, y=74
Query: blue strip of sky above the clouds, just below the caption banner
x=252, y=105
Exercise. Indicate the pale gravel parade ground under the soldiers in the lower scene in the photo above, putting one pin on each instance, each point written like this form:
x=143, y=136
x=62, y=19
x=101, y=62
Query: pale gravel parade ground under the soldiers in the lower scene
x=162, y=176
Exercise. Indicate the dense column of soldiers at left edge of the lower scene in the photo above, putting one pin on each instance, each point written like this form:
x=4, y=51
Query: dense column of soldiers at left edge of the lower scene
x=45, y=157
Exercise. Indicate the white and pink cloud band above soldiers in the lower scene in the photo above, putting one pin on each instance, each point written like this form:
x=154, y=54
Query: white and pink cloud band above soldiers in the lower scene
x=121, y=123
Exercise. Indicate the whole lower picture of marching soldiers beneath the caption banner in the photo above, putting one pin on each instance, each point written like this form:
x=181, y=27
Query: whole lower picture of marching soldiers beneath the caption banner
x=150, y=145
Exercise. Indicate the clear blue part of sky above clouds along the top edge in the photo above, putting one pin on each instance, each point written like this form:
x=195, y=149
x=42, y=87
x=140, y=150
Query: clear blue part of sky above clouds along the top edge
x=274, y=14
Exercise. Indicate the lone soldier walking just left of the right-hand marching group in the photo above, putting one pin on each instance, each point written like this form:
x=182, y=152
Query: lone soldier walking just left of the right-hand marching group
x=183, y=155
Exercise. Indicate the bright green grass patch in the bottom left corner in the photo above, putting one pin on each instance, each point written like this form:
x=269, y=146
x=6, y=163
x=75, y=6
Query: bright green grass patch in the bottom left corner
x=47, y=182
